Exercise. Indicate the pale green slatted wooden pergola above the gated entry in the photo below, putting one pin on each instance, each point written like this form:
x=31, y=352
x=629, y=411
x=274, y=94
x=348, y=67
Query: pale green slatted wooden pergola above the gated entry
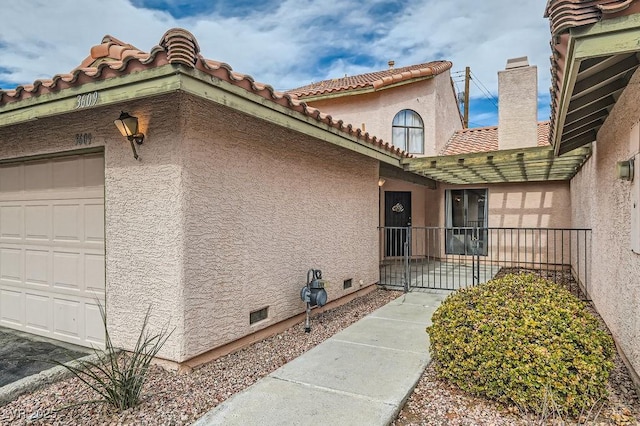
x=535, y=164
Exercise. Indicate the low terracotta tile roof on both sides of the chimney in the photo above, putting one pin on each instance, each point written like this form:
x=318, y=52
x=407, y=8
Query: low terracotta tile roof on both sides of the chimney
x=485, y=139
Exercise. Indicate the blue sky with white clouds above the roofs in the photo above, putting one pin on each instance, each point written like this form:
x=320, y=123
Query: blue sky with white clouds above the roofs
x=290, y=43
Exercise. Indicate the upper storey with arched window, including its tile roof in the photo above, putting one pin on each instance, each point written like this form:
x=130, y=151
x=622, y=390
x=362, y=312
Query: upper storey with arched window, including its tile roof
x=414, y=107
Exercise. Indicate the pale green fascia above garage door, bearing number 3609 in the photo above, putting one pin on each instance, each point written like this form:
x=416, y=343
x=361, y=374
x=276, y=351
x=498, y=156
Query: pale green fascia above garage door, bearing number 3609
x=141, y=84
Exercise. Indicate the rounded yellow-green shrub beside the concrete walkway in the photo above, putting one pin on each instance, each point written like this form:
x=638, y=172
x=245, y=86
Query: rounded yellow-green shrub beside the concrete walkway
x=517, y=338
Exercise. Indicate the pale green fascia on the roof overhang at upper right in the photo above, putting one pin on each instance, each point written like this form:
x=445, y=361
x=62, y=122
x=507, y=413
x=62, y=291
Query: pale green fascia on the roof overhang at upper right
x=607, y=37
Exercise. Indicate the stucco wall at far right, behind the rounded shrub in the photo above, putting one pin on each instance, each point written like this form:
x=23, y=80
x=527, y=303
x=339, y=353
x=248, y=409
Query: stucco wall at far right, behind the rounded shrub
x=602, y=202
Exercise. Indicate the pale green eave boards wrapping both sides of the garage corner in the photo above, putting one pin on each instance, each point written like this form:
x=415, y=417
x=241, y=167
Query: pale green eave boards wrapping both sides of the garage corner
x=170, y=78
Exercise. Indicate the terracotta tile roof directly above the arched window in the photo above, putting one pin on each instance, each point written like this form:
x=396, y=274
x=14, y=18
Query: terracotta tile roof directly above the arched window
x=372, y=80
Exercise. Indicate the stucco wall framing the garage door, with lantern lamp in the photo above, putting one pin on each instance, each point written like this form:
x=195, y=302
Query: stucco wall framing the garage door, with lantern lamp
x=142, y=207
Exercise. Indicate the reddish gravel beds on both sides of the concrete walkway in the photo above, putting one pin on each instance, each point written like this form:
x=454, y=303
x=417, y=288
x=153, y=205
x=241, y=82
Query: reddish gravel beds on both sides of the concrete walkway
x=176, y=399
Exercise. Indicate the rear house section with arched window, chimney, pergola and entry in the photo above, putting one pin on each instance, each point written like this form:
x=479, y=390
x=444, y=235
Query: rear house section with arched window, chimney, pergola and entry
x=497, y=195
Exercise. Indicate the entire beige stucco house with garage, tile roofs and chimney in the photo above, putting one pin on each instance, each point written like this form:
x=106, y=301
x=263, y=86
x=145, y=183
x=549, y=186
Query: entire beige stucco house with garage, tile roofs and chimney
x=240, y=189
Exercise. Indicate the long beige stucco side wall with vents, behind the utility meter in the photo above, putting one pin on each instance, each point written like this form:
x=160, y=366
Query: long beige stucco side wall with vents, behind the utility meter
x=264, y=204
